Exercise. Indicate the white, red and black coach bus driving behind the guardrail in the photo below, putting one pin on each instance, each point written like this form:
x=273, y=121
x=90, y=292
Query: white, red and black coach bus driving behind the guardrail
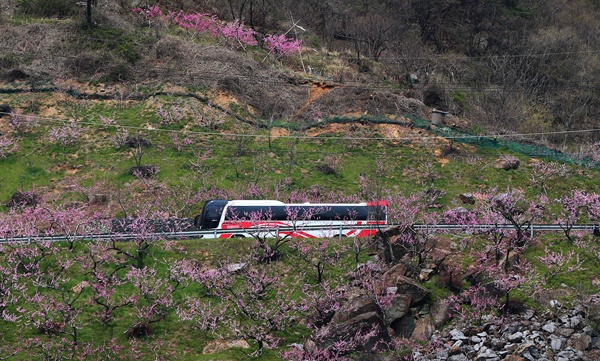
x=271, y=218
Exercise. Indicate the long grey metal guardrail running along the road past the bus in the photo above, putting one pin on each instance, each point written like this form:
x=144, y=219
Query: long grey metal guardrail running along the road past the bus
x=335, y=231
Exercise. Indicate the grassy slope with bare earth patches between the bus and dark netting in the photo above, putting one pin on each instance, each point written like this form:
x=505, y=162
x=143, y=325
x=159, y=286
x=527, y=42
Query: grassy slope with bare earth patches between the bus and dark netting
x=228, y=160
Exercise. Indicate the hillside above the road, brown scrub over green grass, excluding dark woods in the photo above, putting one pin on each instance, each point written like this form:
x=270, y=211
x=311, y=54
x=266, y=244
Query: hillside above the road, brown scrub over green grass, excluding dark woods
x=126, y=77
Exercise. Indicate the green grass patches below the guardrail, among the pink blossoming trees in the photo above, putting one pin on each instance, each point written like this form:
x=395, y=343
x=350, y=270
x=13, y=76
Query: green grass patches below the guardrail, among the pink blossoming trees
x=181, y=337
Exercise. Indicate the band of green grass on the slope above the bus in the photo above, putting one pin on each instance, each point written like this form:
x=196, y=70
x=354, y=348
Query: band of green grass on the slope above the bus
x=37, y=162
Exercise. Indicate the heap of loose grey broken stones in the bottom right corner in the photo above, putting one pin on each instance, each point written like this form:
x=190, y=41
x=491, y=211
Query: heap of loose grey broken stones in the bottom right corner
x=567, y=336
